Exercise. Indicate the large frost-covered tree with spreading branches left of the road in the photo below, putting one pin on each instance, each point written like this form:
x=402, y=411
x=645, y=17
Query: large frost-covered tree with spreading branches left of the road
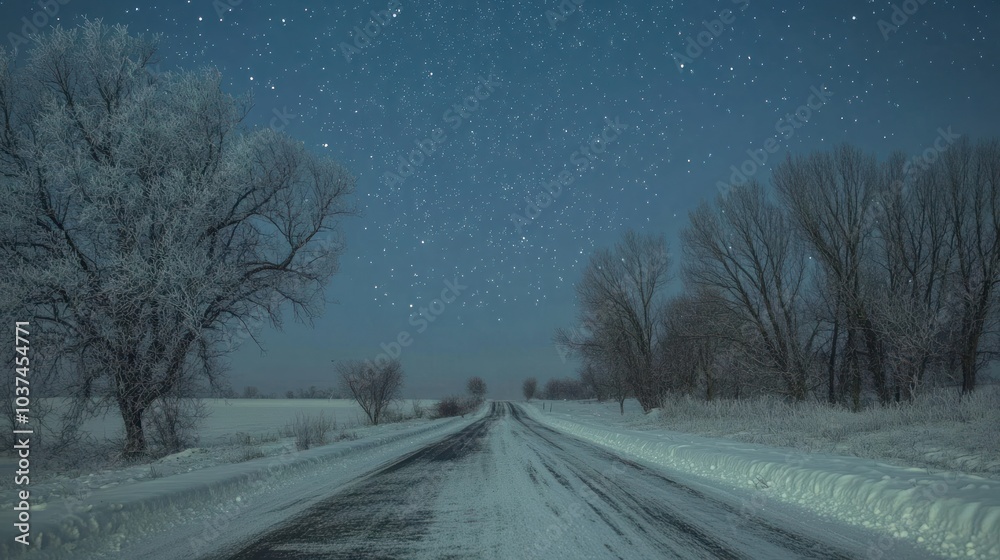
x=143, y=222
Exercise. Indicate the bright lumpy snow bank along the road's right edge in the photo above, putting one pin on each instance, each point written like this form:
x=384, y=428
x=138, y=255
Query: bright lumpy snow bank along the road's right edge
x=952, y=515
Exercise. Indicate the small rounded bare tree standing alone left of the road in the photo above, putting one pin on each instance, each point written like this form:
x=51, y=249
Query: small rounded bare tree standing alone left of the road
x=374, y=386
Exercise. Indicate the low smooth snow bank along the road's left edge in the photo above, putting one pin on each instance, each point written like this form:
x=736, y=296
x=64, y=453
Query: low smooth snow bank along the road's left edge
x=61, y=529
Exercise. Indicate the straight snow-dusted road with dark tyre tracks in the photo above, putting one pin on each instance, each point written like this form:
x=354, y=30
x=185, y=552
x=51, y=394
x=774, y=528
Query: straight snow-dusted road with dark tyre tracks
x=508, y=487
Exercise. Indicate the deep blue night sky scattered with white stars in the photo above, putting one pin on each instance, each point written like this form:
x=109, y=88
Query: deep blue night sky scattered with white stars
x=557, y=82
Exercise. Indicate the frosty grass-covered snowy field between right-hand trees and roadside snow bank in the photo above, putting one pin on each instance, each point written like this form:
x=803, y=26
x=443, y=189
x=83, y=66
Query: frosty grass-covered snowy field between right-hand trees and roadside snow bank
x=940, y=431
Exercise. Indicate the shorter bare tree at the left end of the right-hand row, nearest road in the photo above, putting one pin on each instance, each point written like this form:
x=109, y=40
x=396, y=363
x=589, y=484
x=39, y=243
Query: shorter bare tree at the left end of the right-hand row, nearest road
x=622, y=292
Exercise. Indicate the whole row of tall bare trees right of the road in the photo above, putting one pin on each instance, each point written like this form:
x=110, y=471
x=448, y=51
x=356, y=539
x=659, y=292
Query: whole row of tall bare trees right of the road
x=851, y=277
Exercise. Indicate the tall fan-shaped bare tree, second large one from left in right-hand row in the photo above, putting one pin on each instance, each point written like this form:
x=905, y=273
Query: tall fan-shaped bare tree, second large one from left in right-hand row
x=740, y=252
